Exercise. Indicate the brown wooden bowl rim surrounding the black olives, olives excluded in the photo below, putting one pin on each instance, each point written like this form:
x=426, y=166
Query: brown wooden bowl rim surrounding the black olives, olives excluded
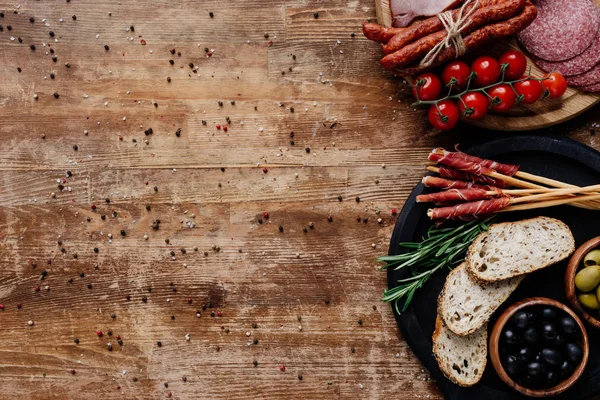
x=495, y=353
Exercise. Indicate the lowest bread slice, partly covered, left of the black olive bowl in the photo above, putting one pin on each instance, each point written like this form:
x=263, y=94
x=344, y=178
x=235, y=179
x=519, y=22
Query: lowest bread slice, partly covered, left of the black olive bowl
x=461, y=358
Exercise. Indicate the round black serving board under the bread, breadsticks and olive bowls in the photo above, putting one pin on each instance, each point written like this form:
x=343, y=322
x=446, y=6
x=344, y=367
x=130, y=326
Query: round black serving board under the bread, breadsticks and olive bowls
x=554, y=157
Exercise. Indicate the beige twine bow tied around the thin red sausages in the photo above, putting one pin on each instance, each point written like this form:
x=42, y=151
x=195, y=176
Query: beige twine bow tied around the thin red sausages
x=454, y=29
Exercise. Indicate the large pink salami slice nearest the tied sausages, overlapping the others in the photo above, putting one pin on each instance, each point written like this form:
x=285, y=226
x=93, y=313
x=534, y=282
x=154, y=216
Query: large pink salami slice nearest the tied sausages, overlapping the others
x=562, y=30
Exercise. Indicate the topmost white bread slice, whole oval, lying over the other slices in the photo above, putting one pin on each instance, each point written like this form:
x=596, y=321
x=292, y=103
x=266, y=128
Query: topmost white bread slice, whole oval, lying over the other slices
x=515, y=248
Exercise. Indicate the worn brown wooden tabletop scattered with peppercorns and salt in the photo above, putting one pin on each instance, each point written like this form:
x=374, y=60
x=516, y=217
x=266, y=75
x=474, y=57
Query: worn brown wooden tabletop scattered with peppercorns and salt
x=352, y=116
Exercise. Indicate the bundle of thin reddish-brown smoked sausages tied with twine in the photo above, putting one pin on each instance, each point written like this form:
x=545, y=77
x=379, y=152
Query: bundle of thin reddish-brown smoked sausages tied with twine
x=492, y=20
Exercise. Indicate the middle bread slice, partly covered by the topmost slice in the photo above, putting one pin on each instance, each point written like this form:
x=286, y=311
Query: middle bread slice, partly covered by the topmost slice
x=466, y=305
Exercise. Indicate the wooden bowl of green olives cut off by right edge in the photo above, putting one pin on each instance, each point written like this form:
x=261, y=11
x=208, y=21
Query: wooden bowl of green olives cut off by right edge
x=582, y=281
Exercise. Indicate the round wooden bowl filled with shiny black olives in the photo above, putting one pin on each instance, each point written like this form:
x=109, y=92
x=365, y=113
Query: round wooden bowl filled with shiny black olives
x=539, y=347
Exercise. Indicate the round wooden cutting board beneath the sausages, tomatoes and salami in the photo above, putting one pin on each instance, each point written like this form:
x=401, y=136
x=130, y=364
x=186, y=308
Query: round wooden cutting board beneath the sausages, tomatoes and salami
x=541, y=114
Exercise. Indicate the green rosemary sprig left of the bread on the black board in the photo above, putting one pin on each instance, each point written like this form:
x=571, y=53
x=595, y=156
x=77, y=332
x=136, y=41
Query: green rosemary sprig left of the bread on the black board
x=443, y=247
